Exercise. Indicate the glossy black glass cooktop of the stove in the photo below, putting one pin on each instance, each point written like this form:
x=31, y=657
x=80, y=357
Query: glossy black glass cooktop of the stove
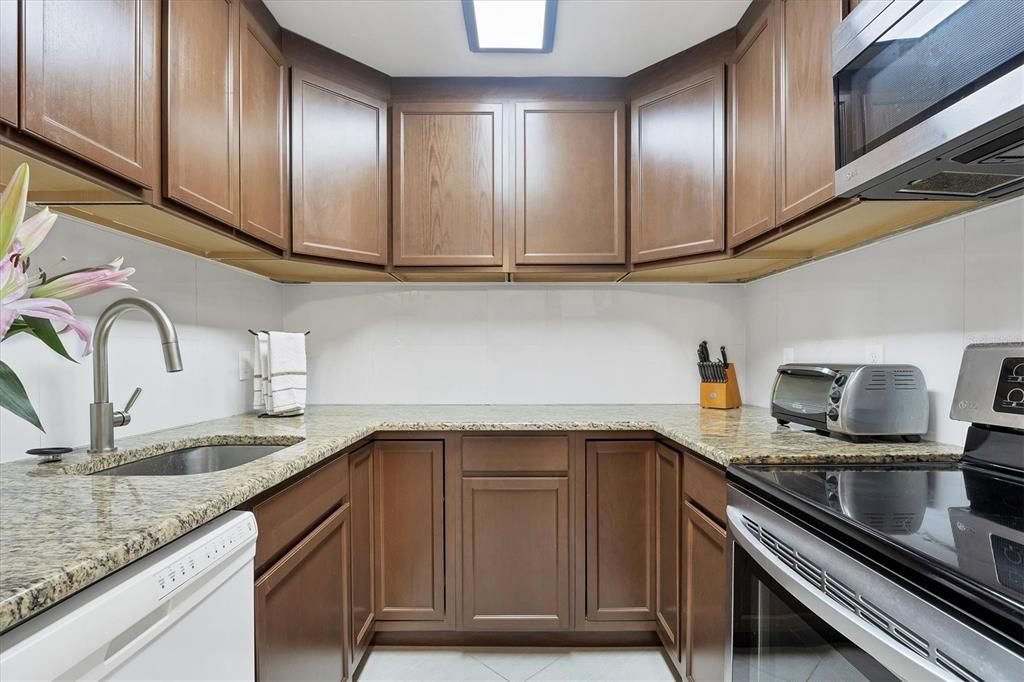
x=968, y=520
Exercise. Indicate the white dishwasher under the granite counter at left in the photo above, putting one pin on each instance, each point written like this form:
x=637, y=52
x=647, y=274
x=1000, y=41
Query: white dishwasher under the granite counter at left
x=183, y=613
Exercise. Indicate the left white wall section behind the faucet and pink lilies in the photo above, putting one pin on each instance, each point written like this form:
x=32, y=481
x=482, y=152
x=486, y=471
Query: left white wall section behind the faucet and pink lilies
x=211, y=307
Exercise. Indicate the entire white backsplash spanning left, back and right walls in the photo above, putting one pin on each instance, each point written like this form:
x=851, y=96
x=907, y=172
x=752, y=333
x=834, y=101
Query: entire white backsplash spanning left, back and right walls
x=922, y=295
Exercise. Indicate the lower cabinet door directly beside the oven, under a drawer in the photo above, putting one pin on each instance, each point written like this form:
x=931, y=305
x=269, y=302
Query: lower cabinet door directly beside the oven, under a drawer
x=706, y=577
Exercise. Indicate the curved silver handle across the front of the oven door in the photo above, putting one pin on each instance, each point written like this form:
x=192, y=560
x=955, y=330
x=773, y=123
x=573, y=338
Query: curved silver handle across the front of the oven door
x=874, y=642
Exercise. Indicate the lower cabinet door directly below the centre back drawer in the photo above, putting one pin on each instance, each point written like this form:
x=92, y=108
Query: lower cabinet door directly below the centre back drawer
x=516, y=569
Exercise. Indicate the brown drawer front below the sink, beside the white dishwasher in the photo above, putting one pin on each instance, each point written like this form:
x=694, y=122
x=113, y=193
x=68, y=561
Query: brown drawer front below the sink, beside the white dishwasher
x=284, y=519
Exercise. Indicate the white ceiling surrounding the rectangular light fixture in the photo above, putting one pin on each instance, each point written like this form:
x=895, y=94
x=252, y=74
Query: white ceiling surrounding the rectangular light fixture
x=429, y=37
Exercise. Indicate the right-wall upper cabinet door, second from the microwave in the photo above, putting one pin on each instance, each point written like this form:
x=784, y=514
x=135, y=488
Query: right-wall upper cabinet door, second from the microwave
x=751, y=186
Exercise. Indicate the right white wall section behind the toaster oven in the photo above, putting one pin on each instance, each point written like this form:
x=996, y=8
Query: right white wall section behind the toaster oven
x=924, y=295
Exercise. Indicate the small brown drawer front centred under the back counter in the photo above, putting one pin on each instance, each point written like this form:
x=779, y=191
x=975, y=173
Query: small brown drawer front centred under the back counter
x=516, y=454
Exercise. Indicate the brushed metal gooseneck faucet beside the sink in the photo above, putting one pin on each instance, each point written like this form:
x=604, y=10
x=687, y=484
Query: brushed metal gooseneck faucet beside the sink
x=103, y=417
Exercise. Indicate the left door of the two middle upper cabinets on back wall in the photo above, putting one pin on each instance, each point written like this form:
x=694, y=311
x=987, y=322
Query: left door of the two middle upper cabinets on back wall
x=448, y=188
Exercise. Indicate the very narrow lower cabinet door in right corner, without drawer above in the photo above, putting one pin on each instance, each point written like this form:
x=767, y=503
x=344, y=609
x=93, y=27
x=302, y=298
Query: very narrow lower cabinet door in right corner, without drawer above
x=667, y=534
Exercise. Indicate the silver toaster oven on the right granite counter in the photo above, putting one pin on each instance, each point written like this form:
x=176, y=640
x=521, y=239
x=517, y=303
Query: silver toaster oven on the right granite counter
x=859, y=401
